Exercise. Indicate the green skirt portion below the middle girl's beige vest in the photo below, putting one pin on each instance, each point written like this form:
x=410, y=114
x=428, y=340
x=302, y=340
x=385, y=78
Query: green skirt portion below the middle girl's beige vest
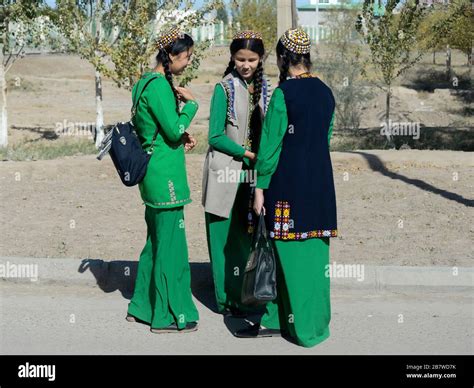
x=229, y=241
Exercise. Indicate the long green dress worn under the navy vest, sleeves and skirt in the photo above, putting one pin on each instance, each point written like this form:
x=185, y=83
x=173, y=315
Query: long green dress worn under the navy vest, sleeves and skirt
x=302, y=308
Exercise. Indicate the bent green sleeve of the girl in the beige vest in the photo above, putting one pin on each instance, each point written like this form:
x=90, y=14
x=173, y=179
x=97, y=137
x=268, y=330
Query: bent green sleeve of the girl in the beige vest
x=217, y=123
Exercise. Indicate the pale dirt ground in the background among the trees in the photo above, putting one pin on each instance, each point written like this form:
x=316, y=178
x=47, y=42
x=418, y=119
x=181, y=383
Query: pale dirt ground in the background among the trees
x=50, y=91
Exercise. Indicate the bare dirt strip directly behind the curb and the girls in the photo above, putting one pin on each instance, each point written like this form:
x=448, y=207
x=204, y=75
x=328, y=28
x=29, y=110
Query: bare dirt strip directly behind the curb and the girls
x=77, y=207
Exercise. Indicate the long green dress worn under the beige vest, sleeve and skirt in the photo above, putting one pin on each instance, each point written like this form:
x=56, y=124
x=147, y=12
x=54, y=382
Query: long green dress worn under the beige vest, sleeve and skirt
x=229, y=239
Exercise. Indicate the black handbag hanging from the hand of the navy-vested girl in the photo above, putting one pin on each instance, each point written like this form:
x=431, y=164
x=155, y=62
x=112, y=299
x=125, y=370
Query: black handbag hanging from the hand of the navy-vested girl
x=259, y=281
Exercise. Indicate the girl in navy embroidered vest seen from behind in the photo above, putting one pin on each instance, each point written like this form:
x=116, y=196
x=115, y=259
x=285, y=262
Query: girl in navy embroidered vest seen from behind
x=295, y=190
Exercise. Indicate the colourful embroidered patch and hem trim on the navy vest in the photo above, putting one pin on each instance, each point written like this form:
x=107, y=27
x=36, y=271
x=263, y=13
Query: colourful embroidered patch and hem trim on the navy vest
x=281, y=226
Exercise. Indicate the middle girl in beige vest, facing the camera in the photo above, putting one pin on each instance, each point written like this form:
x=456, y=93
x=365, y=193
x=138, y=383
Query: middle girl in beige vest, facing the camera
x=238, y=105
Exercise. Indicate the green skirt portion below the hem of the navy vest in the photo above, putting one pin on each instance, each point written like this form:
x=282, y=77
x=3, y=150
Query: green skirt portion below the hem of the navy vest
x=302, y=308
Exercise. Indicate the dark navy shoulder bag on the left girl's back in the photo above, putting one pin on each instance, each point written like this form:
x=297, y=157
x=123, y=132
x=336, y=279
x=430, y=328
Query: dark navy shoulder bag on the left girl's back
x=122, y=143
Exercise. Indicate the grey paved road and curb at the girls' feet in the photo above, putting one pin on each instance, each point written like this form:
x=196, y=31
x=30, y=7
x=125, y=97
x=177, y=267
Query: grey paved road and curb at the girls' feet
x=84, y=314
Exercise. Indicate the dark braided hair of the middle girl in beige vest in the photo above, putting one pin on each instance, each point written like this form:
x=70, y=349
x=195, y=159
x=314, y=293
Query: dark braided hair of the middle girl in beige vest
x=257, y=46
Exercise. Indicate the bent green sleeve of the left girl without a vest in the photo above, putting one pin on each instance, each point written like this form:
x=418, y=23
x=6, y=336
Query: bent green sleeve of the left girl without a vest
x=162, y=104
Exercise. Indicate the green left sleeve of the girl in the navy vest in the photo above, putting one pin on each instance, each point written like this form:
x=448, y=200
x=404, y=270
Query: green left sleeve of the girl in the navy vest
x=273, y=131
